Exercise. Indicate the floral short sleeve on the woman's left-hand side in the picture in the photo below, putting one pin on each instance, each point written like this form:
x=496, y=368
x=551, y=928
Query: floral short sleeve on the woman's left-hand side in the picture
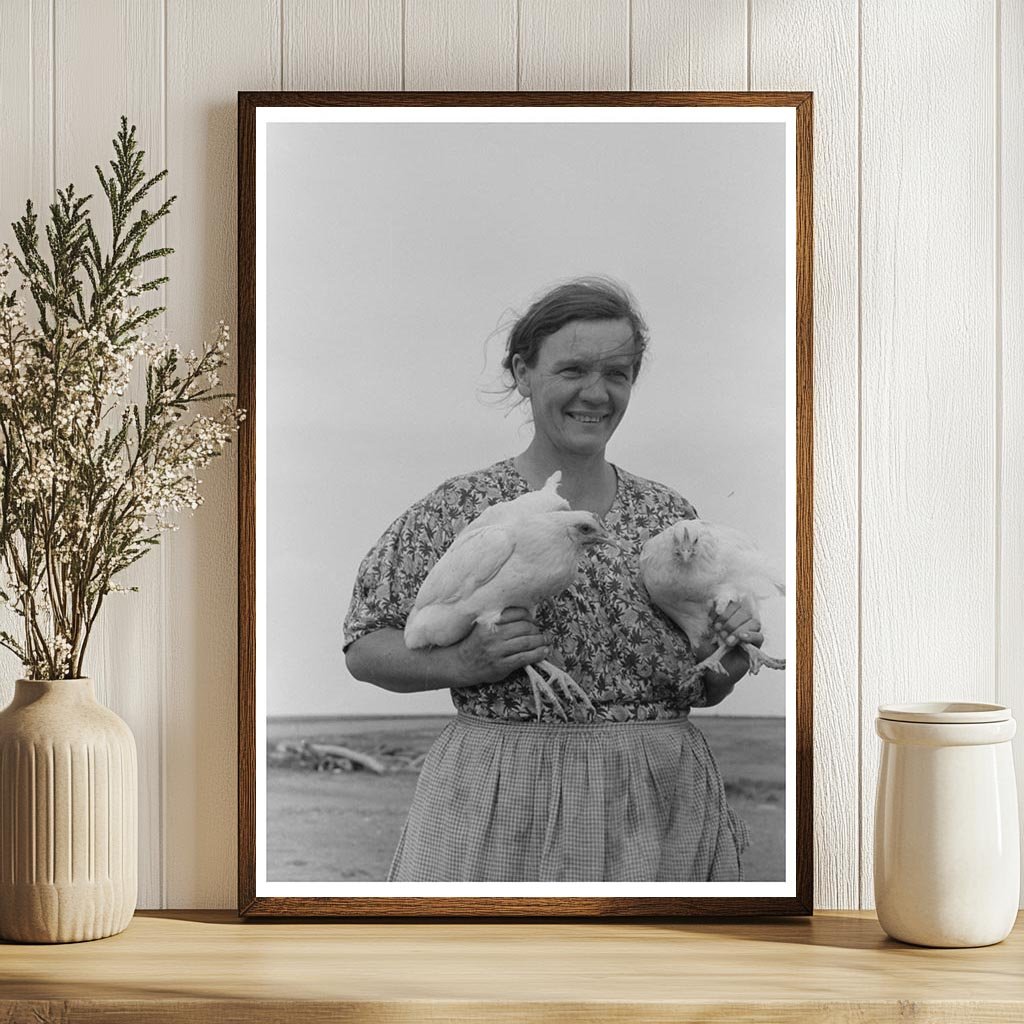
x=393, y=572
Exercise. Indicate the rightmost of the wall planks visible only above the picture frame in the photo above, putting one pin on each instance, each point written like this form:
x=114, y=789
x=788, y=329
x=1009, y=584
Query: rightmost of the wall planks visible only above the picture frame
x=690, y=45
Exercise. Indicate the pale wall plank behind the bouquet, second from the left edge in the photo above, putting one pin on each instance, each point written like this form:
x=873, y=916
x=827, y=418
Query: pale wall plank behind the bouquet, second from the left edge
x=122, y=658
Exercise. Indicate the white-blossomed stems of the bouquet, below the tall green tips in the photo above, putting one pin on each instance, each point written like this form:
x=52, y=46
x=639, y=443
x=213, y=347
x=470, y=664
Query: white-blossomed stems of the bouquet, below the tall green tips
x=89, y=484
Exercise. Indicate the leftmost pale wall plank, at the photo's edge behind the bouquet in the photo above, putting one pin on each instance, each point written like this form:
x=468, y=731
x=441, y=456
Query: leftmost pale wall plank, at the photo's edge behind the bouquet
x=26, y=170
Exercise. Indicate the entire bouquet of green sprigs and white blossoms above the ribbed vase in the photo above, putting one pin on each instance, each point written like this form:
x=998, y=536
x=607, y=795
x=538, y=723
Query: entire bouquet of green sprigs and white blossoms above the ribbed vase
x=89, y=479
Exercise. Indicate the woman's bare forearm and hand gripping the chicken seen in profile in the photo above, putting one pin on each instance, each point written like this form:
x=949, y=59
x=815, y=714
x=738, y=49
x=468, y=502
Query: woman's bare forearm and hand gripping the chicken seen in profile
x=487, y=656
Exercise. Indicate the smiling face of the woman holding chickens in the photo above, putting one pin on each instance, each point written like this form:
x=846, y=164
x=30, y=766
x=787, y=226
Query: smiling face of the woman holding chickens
x=580, y=386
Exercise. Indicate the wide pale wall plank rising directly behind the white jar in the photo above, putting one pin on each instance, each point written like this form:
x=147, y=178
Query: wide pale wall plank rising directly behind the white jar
x=928, y=452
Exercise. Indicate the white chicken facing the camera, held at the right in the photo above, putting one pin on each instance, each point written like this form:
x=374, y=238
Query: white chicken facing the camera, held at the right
x=694, y=569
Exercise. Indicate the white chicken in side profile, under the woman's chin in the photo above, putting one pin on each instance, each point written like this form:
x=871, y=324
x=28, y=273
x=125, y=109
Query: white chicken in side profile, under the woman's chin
x=515, y=554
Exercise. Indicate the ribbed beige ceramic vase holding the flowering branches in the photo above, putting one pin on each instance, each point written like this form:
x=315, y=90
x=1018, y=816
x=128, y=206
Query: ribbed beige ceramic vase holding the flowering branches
x=69, y=797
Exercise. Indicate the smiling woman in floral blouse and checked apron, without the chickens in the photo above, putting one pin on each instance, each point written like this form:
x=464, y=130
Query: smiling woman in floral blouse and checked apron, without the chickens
x=630, y=793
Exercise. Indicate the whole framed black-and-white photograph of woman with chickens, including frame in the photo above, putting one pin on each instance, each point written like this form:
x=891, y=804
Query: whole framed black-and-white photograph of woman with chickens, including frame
x=525, y=504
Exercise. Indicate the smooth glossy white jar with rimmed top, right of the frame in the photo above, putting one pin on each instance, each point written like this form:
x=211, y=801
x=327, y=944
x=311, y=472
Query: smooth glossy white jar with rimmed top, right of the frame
x=947, y=841
